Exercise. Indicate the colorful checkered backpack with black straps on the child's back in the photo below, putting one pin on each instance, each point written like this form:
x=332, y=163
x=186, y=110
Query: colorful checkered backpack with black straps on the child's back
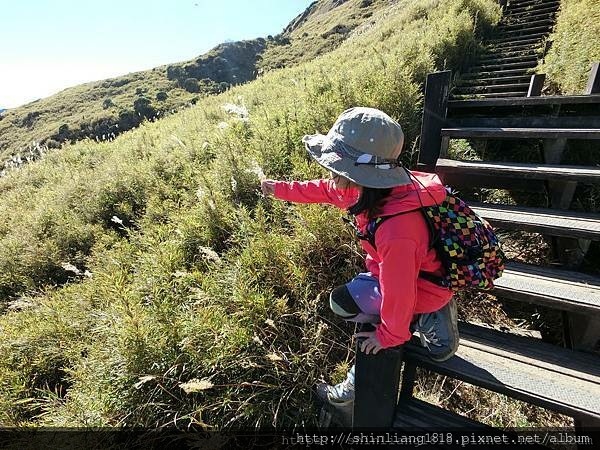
x=465, y=243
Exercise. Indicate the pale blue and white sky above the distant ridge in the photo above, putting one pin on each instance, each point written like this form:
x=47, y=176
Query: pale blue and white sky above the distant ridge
x=49, y=45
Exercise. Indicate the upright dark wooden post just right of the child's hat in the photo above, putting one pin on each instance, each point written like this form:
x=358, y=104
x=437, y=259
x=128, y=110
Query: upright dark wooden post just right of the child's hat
x=434, y=115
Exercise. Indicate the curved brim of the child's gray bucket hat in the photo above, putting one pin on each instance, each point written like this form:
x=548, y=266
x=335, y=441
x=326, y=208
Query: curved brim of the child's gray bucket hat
x=327, y=153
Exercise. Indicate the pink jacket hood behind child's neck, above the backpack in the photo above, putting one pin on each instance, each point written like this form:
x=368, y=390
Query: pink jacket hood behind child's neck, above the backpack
x=426, y=189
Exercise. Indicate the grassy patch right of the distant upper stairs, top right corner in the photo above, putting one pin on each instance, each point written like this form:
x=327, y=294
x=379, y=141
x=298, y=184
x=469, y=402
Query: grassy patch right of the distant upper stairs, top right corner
x=574, y=46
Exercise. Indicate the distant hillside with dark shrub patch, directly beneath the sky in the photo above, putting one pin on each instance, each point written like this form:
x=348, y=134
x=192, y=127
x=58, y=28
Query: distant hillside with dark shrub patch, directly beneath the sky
x=101, y=110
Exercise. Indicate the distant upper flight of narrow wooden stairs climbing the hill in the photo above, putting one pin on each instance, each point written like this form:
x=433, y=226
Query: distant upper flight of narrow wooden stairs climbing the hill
x=504, y=69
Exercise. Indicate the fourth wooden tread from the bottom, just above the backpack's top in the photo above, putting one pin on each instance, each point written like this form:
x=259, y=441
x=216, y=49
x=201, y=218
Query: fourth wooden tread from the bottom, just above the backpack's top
x=467, y=169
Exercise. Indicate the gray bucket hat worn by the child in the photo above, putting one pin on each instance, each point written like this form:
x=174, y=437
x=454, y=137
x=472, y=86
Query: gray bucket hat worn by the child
x=363, y=145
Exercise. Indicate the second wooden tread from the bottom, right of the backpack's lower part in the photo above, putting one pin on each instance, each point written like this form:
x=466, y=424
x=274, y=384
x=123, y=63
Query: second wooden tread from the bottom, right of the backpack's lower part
x=559, y=289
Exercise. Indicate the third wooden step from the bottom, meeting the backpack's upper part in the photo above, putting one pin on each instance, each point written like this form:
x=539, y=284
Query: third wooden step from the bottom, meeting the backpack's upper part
x=552, y=222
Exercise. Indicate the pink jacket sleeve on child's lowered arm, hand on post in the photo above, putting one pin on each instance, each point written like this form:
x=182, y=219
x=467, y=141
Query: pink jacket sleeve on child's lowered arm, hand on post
x=398, y=272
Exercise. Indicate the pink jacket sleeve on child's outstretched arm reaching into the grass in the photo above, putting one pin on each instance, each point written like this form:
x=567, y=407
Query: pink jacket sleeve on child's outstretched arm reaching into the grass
x=316, y=191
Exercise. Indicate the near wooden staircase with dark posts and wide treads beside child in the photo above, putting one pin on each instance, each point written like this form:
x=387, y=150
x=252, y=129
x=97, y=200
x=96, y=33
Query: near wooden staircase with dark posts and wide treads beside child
x=562, y=379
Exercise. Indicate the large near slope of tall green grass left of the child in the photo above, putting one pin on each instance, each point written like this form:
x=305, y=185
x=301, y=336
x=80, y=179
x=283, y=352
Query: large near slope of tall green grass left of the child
x=145, y=281
